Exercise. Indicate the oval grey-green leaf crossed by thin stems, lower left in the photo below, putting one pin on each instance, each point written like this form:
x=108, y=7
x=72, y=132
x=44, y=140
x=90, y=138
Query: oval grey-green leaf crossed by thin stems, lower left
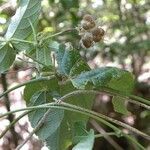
x=53, y=120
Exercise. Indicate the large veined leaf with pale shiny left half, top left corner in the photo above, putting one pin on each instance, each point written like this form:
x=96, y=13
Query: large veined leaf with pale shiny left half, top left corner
x=19, y=26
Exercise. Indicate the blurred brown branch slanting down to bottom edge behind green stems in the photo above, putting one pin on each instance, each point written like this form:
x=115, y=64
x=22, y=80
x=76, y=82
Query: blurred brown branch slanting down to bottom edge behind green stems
x=107, y=137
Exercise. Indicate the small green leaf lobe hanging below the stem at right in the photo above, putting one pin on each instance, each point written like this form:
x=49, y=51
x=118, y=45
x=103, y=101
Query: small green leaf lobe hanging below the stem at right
x=119, y=105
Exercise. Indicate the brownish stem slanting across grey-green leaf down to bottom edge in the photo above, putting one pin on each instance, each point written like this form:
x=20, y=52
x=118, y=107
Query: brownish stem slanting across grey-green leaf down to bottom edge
x=40, y=123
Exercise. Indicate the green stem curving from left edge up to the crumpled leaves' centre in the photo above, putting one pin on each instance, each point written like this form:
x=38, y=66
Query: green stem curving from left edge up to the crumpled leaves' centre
x=26, y=83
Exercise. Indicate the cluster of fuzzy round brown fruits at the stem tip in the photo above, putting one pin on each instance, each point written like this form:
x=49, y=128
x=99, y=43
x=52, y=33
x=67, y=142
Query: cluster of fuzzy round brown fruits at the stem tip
x=90, y=32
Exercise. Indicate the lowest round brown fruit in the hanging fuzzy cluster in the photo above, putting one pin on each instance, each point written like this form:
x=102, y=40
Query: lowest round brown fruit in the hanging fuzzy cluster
x=87, y=40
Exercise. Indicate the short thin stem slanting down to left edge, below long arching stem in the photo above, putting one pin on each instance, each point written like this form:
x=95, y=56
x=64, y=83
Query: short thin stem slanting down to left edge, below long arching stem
x=12, y=123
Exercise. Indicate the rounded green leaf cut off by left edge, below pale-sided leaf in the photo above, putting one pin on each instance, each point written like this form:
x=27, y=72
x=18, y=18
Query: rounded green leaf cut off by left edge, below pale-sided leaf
x=7, y=57
